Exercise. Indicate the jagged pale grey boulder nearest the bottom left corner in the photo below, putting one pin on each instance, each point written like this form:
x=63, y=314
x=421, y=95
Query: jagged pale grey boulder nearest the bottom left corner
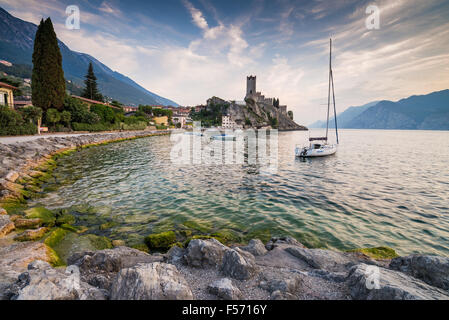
x=42, y=282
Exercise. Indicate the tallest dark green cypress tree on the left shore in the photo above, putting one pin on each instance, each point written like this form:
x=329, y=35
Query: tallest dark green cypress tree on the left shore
x=48, y=82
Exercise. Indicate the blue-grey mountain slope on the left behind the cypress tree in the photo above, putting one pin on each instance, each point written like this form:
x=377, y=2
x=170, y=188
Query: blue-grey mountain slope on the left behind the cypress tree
x=16, y=46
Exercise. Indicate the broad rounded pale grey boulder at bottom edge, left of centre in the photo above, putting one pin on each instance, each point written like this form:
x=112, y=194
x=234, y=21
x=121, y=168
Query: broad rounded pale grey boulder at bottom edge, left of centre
x=151, y=281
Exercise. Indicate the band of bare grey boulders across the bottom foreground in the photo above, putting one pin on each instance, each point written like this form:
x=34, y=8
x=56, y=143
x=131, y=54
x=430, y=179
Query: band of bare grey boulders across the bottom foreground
x=283, y=269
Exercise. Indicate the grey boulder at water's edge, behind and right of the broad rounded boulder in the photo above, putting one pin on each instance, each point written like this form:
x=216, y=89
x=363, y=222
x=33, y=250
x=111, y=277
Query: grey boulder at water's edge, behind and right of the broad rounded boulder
x=204, y=253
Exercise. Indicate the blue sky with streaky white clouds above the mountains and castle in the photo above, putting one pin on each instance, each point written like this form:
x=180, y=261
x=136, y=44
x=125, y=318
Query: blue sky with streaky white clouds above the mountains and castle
x=191, y=50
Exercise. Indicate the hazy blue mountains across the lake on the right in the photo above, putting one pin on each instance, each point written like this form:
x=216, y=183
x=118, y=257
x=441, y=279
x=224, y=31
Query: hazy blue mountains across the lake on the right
x=424, y=112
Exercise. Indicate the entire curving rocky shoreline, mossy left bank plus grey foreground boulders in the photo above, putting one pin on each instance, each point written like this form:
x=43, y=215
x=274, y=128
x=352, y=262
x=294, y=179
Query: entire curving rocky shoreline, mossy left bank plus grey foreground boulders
x=203, y=268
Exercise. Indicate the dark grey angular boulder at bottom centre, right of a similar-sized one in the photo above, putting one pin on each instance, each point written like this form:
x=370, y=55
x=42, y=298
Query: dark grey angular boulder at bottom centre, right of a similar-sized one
x=238, y=264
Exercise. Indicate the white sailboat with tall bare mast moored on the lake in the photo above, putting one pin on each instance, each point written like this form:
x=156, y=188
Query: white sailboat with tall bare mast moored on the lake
x=319, y=147
